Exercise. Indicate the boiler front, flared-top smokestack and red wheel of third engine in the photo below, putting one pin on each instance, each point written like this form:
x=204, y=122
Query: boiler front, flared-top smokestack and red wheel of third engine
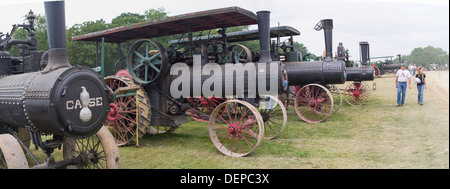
x=313, y=100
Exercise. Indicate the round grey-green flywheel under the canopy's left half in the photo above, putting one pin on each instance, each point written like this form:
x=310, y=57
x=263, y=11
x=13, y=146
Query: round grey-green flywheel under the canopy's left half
x=147, y=61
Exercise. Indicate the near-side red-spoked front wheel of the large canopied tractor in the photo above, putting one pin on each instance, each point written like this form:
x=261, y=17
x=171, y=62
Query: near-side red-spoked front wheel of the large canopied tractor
x=236, y=128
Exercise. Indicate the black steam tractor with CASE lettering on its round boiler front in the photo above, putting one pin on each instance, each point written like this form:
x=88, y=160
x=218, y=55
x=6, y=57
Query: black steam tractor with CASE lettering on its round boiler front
x=66, y=104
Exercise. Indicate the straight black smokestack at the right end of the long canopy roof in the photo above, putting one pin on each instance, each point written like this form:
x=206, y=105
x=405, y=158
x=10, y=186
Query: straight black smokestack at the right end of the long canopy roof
x=264, y=35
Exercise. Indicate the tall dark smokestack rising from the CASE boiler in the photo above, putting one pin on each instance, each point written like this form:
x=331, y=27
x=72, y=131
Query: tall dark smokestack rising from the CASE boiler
x=56, y=33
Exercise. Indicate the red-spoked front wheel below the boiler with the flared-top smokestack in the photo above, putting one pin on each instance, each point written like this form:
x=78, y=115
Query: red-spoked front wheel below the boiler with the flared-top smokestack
x=313, y=103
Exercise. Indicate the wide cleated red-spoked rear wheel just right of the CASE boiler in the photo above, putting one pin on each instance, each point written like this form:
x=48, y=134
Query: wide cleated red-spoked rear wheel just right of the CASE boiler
x=122, y=119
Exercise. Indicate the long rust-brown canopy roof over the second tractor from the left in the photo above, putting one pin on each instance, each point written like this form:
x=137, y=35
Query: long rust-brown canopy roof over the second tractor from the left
x=191, y=22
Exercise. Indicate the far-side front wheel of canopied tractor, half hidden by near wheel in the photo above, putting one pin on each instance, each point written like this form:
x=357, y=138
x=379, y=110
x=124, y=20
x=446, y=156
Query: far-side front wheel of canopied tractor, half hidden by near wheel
x=274, y=115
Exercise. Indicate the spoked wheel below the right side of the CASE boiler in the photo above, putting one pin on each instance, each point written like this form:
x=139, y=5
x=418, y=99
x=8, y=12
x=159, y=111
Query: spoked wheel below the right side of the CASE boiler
x=96, y=152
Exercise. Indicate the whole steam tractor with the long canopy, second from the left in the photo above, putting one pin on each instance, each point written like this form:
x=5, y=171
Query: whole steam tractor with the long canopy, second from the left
x=236, y=126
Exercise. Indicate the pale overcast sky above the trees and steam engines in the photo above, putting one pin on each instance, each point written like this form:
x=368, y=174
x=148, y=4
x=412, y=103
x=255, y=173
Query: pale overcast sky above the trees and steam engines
x=390, y=26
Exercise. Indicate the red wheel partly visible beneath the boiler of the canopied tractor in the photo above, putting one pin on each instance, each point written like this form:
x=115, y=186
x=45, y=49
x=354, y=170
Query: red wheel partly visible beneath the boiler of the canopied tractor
x=203, y=105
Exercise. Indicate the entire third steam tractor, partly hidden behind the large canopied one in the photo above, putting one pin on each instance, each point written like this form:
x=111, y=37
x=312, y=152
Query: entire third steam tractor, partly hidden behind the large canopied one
x=312, y=109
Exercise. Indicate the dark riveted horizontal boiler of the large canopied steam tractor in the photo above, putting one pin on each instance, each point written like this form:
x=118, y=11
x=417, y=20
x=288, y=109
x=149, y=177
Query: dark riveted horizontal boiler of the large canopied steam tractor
x=238, y=75
